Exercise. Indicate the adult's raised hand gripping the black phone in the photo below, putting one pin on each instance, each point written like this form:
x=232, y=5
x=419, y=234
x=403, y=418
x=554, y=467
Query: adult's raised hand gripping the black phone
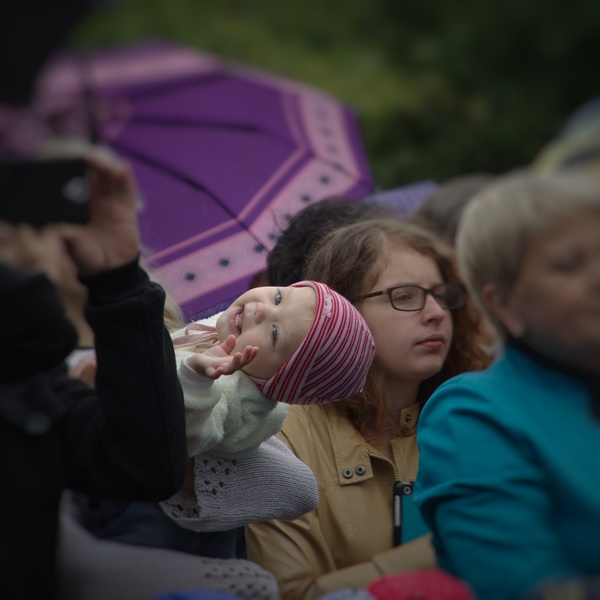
x=110, y=238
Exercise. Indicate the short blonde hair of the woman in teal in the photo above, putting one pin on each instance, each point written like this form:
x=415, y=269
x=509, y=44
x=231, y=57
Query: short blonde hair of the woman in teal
x=501, y=220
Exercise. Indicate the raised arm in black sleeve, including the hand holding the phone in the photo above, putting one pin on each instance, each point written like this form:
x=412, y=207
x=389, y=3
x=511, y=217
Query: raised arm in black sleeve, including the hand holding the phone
x=128, y=438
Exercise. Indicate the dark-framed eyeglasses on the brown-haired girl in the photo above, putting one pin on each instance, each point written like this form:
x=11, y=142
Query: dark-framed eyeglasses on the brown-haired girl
x=449, y=296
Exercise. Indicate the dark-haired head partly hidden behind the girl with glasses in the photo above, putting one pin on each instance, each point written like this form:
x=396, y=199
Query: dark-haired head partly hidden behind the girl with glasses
x=286, y=262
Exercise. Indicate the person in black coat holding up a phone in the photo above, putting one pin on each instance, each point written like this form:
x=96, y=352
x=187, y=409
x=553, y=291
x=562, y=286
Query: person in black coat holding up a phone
x=125, y=440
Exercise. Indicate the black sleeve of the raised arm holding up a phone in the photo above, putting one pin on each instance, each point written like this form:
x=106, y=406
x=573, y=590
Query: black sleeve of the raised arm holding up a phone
x=126, y=439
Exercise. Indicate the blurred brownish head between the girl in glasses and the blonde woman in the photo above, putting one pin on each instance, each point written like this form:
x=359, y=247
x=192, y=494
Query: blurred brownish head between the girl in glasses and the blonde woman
x=442, y=210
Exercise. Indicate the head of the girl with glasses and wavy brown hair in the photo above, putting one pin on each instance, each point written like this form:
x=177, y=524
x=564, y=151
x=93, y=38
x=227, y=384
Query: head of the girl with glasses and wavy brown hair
x=420, y=347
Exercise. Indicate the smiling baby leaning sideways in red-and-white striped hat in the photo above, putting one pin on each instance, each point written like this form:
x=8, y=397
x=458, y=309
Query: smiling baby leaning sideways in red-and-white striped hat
x=302, y=344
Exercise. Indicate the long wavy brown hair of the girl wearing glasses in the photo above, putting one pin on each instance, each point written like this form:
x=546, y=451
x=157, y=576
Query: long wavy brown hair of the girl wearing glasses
x=347, y=260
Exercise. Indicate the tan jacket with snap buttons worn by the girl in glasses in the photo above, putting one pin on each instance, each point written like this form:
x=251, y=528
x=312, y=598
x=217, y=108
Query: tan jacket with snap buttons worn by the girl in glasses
x=347, y=540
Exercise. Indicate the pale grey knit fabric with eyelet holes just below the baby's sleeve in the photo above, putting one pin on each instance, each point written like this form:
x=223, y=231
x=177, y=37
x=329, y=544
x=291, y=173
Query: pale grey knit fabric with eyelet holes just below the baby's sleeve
x=269, y=484
